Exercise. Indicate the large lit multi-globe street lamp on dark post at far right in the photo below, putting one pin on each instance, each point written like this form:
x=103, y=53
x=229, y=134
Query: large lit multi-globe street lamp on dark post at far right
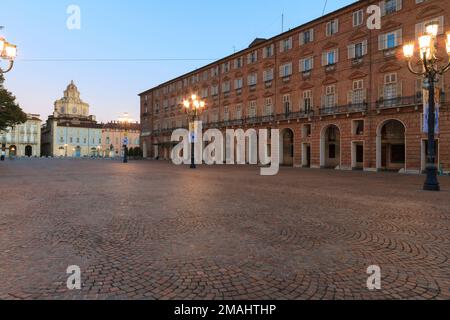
x=430, y=72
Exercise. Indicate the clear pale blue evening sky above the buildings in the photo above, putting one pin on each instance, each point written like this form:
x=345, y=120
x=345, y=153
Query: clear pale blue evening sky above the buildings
x=133, y=29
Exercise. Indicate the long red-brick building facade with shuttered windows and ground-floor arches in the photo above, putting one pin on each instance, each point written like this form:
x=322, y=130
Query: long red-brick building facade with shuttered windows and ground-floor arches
x=339, y=92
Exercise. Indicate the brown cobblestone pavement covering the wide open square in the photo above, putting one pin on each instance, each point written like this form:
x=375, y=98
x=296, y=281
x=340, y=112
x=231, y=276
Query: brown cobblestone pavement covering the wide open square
x=151, y=230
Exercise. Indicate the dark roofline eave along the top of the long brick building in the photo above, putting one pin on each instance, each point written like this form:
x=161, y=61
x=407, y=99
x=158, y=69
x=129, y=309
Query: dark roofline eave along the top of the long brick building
x=256, y=47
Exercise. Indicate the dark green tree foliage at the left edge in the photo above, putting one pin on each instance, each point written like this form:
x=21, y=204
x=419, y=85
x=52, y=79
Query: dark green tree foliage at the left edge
x=10, y=112
